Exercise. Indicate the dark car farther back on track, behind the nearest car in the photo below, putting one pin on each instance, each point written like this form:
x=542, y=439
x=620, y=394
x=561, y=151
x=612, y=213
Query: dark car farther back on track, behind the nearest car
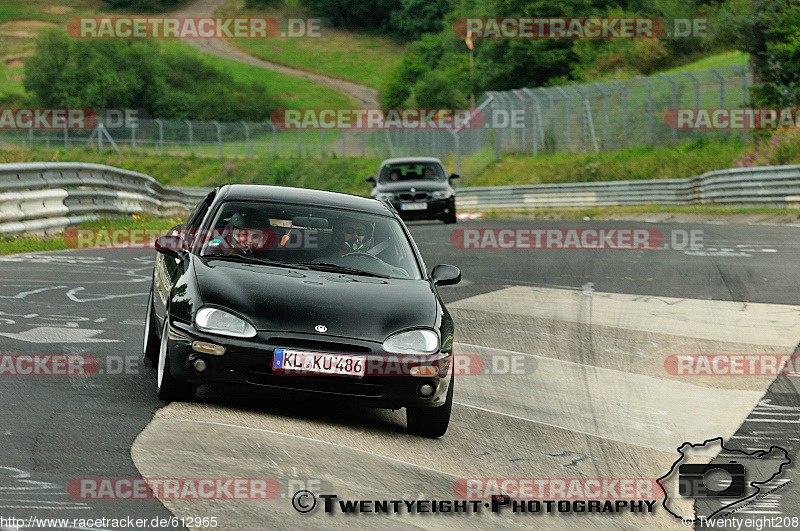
x=417, y=187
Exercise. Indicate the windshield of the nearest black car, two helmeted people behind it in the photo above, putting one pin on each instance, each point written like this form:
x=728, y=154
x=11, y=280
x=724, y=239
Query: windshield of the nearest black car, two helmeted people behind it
x=311, y=237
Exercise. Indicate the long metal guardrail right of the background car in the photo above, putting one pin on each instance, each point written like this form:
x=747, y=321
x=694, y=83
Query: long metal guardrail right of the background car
x=771, y=186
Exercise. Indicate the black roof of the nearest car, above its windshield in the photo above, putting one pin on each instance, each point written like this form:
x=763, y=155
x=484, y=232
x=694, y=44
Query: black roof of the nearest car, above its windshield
x=303, y=196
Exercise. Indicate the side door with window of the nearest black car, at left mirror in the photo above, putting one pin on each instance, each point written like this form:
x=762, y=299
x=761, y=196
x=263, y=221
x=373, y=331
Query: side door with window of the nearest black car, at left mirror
x=168, y=269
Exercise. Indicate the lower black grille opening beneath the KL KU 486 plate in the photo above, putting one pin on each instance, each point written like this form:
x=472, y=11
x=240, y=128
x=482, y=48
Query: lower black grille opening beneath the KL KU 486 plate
x=262, y=375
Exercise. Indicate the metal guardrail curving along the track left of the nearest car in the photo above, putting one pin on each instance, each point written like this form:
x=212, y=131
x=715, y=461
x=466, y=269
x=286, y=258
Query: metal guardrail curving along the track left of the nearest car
x=44, y=197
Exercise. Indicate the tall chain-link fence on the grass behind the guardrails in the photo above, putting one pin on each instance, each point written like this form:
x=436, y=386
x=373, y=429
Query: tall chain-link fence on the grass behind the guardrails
x=579, y=118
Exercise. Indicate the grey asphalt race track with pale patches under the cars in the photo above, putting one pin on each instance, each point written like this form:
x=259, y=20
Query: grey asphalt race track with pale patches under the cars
x=590, y=329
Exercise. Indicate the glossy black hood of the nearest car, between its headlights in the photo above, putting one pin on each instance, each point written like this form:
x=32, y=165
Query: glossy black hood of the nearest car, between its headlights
x=295, y=300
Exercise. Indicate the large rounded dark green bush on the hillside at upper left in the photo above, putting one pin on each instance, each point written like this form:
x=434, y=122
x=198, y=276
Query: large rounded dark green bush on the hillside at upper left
x=124, y=74
